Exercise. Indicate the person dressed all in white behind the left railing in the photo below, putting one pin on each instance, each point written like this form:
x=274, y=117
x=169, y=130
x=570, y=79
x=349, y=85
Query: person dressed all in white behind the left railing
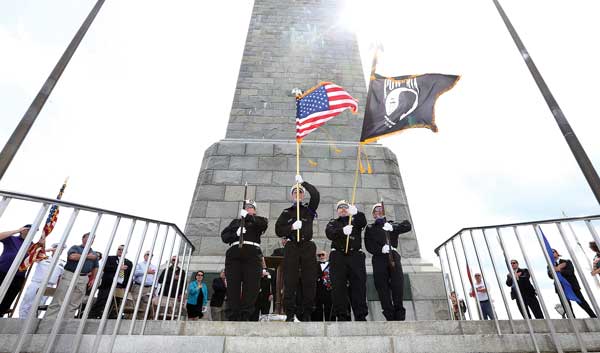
x=41, y=270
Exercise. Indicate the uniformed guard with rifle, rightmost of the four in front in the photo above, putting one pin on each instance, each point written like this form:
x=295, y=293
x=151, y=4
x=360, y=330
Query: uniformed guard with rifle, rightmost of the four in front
x=389, y=280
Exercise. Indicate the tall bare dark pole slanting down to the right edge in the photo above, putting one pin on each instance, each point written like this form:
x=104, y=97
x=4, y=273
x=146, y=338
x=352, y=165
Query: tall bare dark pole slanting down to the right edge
x=579, y=153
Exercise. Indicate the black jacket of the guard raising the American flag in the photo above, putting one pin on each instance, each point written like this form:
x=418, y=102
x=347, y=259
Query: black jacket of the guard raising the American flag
x=283, y=227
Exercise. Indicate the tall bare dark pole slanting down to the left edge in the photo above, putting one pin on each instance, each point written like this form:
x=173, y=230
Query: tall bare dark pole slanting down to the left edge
x=18, y=136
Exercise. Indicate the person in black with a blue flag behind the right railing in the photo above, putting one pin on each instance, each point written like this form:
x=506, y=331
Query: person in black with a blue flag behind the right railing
x=566, y=271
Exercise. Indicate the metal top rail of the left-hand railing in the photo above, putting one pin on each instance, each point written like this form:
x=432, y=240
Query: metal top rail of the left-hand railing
x=27, y=197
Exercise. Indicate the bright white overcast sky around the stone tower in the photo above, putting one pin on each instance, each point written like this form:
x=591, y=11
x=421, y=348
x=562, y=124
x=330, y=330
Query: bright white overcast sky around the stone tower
x=127, y=121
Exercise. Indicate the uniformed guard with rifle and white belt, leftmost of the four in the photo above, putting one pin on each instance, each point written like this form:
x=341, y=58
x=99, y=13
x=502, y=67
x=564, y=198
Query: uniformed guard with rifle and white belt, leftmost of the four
x=243, y=265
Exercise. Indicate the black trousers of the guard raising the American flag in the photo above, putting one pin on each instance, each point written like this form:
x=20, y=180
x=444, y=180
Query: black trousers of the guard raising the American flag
x=299, y=262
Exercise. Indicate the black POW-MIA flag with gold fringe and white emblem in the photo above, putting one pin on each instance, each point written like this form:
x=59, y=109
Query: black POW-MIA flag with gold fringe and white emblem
x=398, y=103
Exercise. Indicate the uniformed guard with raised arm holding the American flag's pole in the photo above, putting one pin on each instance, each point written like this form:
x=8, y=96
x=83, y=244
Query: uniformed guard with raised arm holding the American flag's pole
x=299, y=259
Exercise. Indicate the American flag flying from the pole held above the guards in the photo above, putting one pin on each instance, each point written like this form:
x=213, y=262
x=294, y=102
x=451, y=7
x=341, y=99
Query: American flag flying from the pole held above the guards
x=320, y=104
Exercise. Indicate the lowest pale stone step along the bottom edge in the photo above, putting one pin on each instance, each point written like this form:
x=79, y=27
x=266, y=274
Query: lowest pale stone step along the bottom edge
x=371, y=344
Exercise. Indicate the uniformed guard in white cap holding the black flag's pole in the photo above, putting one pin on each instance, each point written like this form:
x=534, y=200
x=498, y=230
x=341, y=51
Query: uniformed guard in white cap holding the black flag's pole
x=348, y=267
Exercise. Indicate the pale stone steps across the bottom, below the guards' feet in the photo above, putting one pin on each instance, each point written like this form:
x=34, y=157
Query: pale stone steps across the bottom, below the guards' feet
x=266, y=337
